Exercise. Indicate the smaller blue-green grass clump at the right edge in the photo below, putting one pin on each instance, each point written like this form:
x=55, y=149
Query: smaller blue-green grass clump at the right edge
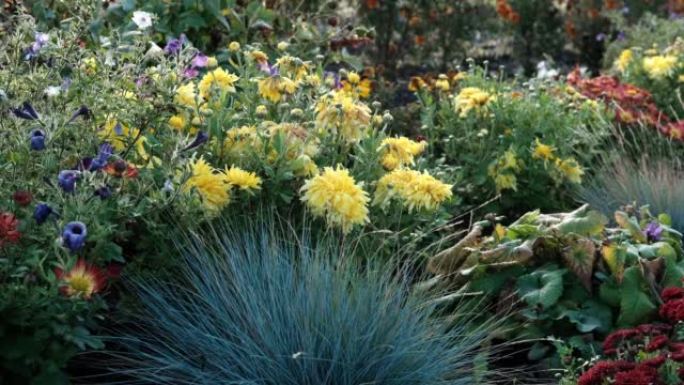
x=657, y=183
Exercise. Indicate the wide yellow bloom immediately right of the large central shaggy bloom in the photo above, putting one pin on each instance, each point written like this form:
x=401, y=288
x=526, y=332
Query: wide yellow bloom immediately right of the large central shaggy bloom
x=415, y=190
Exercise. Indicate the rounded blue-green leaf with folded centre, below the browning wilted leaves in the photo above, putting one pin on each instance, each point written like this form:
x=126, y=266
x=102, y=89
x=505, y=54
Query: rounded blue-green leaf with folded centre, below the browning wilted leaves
x=542, y=287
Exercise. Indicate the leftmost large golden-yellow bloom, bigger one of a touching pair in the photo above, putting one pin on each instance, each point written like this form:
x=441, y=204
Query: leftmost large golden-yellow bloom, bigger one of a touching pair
x=212, y=186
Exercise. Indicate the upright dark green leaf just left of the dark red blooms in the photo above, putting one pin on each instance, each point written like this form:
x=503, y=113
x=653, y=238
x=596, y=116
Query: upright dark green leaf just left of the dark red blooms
x=635, y=305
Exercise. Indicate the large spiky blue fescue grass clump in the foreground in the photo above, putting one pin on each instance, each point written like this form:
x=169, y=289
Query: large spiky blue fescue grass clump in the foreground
x=256, y=307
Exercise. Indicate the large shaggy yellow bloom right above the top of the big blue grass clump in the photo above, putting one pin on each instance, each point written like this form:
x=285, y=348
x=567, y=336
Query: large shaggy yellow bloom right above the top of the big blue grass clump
x=335, y=195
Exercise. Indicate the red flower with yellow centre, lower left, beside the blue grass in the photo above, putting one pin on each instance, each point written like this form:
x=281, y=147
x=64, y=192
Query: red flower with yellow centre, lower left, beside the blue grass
x=84, y=279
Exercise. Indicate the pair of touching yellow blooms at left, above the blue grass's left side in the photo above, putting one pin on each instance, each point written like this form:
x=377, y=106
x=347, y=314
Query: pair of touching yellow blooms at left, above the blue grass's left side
x=214, y=187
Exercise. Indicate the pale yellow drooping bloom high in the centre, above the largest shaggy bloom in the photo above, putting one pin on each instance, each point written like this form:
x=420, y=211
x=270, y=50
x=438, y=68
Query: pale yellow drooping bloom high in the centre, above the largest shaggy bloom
x=343, y=114
